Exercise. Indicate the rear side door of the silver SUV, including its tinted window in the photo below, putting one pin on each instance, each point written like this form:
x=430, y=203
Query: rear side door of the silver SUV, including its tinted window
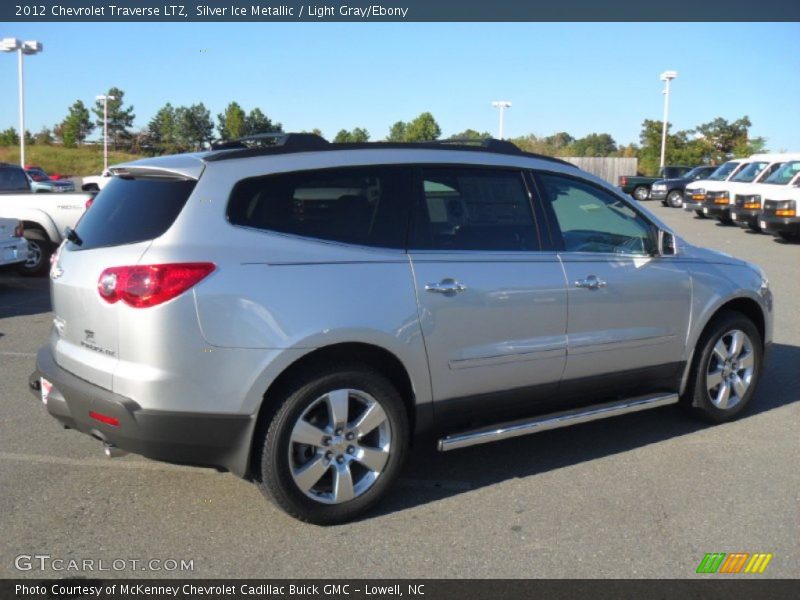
x=492, y=303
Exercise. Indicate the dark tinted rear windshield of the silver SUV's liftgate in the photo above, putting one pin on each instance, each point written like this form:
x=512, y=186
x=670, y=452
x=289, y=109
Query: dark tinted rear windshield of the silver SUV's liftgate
x=132, y=210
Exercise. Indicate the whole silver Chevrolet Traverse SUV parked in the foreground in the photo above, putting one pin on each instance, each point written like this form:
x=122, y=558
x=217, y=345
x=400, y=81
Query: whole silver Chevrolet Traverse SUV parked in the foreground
x=295, y=312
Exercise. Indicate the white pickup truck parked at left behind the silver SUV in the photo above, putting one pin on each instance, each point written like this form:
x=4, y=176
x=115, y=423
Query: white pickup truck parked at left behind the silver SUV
x=44, y=216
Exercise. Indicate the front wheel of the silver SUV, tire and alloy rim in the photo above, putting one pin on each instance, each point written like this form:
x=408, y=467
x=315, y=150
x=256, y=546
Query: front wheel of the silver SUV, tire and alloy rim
x=736, y=365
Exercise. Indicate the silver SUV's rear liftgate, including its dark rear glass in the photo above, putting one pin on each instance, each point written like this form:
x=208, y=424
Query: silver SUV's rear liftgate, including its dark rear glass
x=115, y=231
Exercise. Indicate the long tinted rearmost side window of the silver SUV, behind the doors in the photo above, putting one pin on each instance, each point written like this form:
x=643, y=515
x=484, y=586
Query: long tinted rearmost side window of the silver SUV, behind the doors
x=358, y=205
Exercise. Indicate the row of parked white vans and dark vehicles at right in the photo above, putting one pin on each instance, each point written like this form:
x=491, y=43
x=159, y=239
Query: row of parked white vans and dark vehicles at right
x=760, y=193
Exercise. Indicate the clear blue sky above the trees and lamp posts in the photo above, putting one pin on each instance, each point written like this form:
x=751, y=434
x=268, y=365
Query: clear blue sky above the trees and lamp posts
x=575, y=77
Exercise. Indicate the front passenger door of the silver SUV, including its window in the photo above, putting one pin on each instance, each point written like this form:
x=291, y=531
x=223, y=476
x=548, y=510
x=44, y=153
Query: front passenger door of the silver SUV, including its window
x=628, y=307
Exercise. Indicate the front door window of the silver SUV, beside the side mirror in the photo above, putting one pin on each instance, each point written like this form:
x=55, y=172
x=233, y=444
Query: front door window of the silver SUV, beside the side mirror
x=593, y=220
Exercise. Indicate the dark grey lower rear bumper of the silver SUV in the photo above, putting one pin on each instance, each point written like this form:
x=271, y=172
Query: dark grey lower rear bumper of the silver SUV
x=204, y=439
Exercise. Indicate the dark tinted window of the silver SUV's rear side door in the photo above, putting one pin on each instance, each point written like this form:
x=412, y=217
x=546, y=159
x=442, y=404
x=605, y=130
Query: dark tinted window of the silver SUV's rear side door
x=474, y=209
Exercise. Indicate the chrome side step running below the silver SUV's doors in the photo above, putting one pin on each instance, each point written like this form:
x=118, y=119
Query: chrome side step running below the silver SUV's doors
x=566, y=418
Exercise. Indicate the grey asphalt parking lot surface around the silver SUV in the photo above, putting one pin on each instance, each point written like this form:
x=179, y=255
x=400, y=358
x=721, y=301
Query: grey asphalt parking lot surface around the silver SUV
x=645, y=495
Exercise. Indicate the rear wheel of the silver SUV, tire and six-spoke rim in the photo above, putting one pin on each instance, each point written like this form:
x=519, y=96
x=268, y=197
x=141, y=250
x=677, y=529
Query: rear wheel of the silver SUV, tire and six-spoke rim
x=336, y=473
